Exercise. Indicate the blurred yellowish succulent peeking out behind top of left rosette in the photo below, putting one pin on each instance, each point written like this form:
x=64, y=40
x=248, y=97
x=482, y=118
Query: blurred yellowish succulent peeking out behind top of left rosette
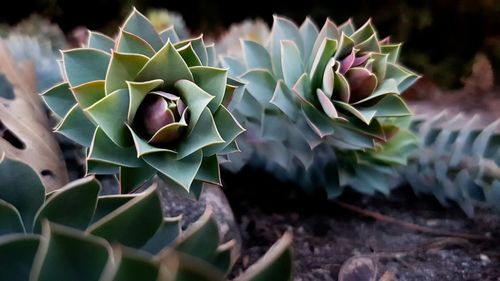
x=163, y=19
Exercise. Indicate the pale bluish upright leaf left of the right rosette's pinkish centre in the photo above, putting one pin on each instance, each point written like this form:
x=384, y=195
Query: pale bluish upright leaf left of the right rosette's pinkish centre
x=291, y=62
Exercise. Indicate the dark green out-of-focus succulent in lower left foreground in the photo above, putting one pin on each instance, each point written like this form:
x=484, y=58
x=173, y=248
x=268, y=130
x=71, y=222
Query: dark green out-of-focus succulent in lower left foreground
x=74, y=234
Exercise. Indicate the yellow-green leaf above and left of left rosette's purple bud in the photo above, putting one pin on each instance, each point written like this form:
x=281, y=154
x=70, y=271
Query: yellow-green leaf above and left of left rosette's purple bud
x=123, y=67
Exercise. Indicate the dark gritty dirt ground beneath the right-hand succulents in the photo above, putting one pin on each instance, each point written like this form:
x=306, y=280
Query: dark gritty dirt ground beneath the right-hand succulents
x=326, y=235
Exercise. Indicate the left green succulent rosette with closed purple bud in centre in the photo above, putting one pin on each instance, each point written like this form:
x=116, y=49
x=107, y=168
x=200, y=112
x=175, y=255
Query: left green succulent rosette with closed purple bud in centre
x=146, y=103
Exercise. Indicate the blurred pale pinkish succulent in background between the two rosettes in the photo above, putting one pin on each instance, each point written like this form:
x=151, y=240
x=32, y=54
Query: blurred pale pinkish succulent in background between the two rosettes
x=229, y=43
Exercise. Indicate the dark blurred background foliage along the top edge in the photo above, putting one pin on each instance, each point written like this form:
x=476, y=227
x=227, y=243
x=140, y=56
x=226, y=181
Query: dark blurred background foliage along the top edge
x=442, y=37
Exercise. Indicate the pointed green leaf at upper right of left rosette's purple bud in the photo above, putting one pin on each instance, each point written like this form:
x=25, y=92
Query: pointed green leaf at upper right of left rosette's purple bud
x=213, y=81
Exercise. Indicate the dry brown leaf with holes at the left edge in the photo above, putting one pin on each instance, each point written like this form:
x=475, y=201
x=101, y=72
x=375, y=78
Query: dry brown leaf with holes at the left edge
x=24, y=128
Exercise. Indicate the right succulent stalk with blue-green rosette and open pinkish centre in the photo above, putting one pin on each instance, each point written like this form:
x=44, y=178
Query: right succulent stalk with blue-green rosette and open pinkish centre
x=323, y=107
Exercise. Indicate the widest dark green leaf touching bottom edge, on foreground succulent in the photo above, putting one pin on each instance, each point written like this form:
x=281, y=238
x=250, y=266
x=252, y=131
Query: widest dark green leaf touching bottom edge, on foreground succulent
x=68, y=254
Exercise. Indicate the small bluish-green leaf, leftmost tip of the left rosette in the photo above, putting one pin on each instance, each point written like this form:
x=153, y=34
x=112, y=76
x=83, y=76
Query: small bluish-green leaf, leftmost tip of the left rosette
x=59, y=99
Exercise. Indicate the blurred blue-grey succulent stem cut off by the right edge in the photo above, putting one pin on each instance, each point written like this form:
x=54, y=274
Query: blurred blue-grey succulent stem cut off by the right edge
x=458, y=161
